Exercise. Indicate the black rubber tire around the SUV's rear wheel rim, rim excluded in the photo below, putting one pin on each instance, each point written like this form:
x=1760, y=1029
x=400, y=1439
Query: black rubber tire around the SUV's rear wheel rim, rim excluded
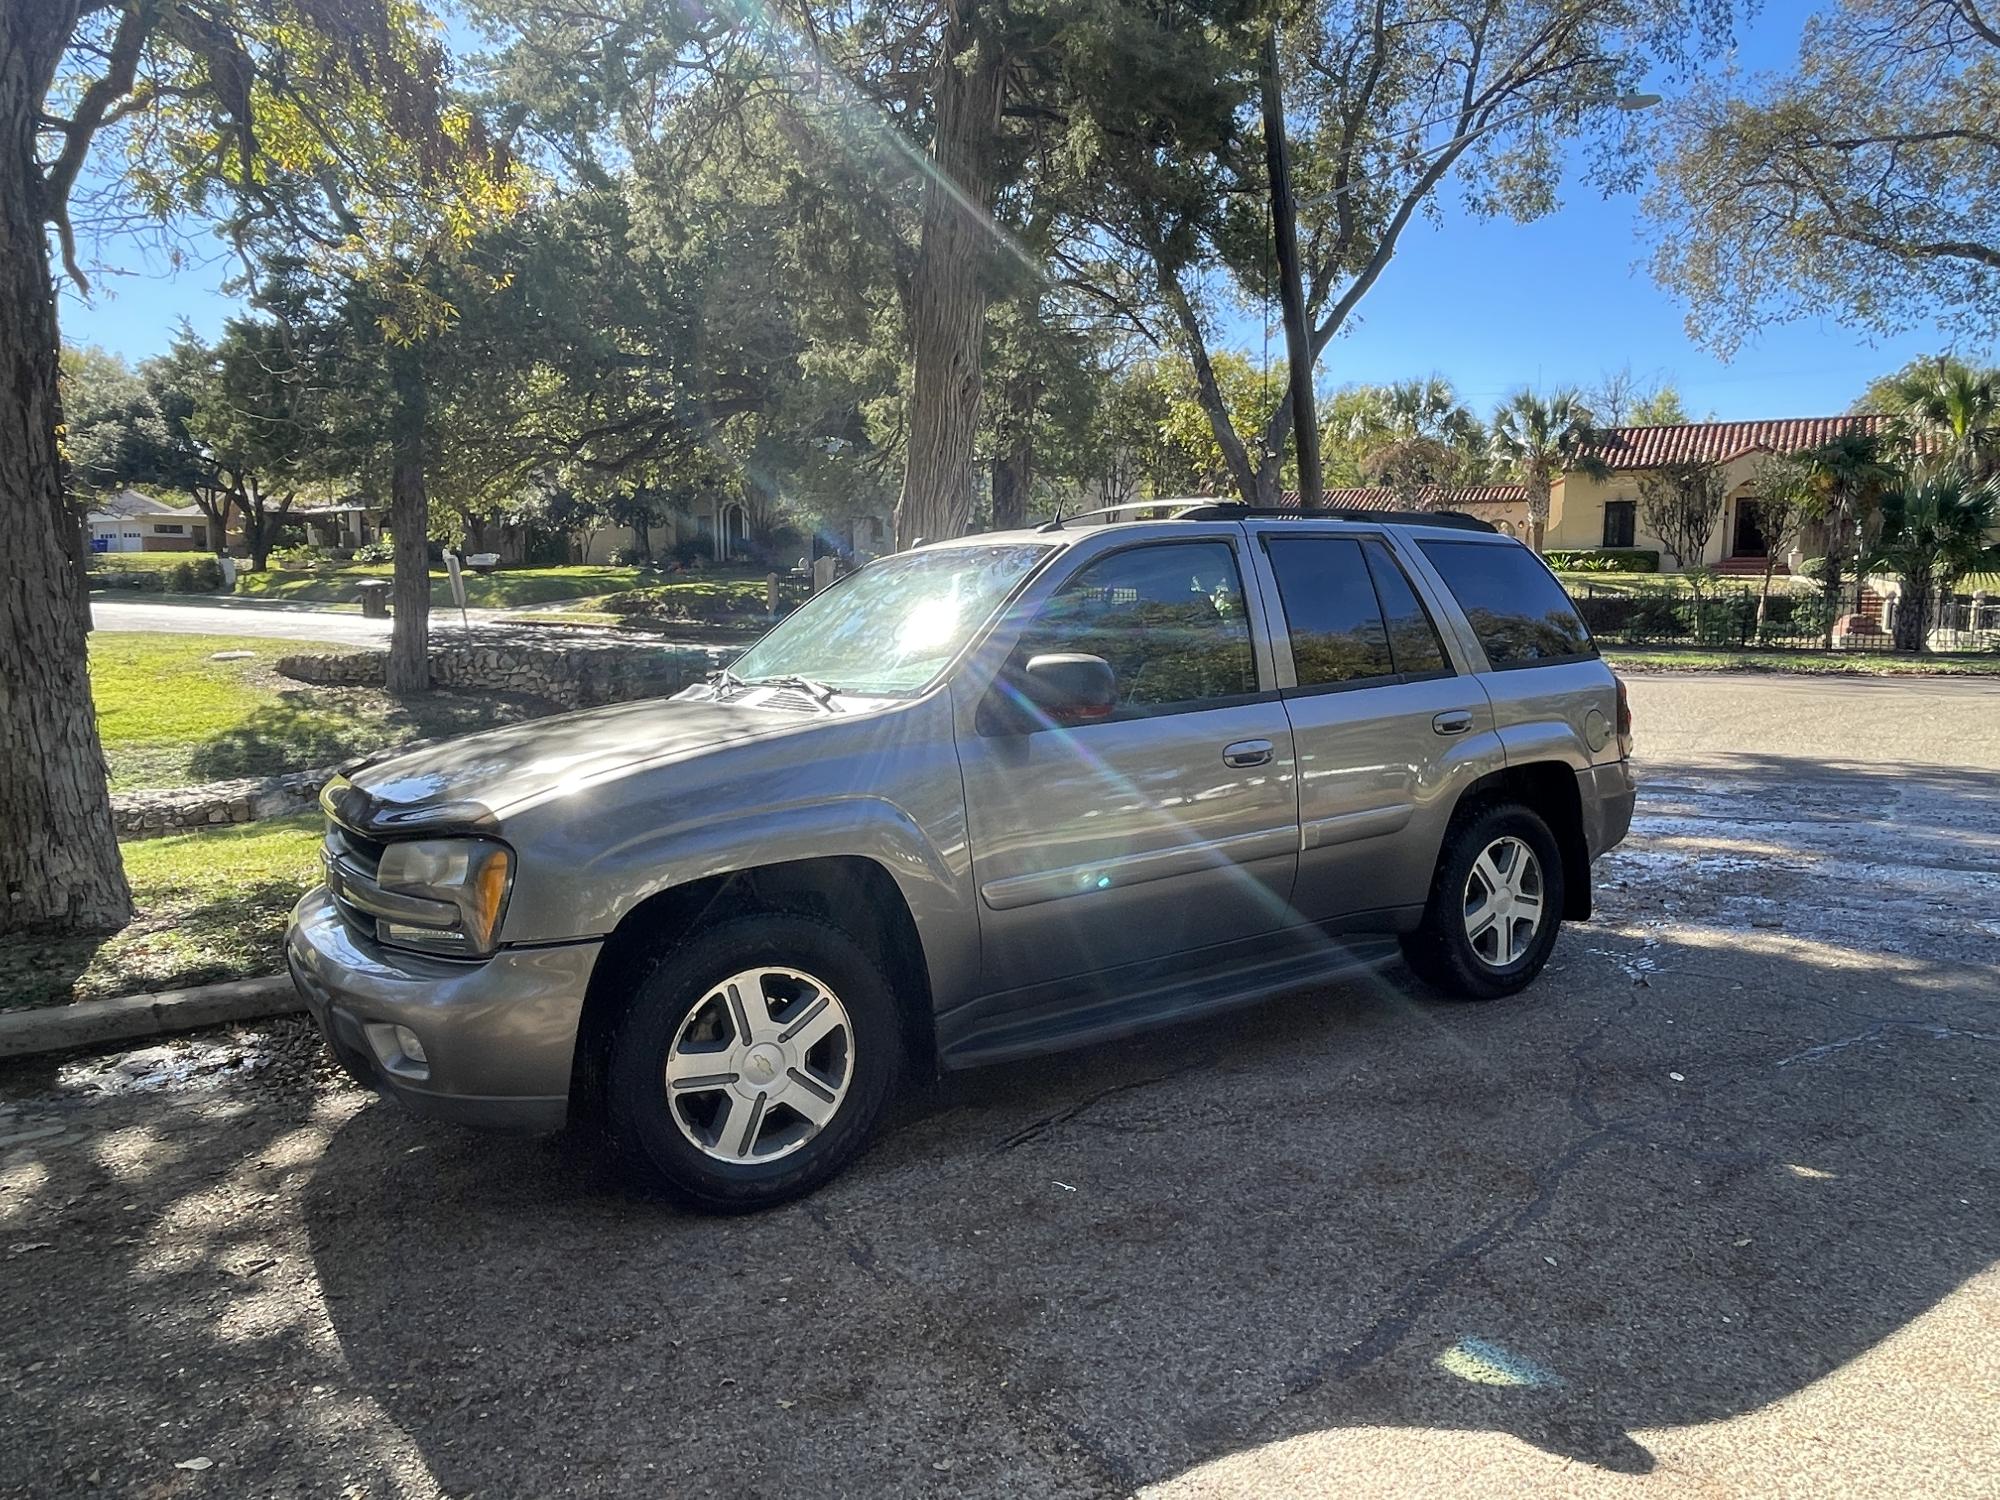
x=1441, y=951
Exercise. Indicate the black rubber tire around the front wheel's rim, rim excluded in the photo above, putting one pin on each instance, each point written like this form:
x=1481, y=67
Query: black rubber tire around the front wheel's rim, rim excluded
x=639, y=1115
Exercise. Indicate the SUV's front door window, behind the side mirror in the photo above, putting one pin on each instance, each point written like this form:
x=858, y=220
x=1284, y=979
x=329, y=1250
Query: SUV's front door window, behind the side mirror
x=1169, y=619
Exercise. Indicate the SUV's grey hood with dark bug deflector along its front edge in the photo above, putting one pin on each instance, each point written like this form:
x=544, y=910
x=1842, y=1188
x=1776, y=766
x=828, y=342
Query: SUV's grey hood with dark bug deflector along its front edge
x=475, y=781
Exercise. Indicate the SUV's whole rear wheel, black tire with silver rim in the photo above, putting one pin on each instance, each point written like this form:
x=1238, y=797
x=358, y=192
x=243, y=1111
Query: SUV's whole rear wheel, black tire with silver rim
x=1495, y=905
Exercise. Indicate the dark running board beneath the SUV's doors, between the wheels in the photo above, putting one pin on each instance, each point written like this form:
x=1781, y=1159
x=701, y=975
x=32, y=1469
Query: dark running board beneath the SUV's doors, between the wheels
x=1077, y=1013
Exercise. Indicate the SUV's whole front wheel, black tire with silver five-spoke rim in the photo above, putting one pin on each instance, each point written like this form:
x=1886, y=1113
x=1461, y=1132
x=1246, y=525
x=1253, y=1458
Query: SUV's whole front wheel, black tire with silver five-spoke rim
x=755, y=1061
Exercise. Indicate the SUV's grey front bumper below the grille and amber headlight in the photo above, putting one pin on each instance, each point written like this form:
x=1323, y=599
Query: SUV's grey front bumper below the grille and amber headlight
x=499, y=1037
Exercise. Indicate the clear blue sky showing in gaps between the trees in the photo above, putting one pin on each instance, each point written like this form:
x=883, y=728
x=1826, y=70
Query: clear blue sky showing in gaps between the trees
x=1489, y=305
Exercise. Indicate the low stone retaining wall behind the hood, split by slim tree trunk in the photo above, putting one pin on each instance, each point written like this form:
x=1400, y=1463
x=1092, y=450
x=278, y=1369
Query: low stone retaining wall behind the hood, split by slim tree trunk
x=569, y=673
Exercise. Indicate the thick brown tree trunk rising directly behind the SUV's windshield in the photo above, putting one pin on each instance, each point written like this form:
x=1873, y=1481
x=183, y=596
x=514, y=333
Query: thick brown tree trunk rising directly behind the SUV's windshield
x=951, y=285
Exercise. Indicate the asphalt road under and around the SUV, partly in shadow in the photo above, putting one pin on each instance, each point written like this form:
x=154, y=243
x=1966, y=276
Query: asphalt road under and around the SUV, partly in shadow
x=1713, y=1209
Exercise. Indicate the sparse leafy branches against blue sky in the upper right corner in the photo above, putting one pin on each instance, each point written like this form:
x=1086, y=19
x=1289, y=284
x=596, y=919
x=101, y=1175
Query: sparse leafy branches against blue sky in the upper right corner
x=1861, y=185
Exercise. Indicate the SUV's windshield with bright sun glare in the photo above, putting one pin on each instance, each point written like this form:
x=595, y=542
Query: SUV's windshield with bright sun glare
x=895, y=625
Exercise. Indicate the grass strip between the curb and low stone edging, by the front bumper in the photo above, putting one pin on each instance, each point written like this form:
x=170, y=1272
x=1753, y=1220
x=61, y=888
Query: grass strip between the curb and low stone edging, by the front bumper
x=211, y=907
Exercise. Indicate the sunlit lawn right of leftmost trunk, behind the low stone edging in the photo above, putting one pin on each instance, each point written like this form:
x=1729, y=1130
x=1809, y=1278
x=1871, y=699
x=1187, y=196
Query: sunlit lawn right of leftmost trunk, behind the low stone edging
x=173, y=717
